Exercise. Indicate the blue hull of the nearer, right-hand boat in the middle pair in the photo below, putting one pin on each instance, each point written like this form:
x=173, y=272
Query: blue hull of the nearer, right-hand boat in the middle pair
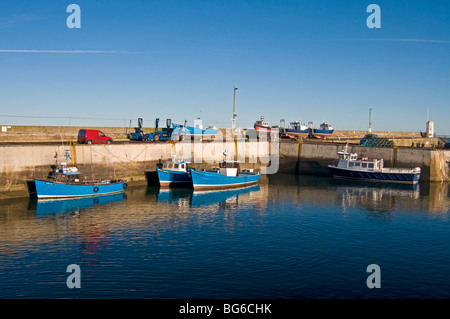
x=211, y=180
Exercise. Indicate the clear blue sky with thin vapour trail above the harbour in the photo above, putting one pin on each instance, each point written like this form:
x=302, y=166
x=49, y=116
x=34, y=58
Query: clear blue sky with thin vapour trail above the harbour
x=310, y=60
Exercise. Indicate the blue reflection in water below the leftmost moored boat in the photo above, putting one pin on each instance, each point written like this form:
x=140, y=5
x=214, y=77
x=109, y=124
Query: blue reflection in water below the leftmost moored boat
x=46, y=207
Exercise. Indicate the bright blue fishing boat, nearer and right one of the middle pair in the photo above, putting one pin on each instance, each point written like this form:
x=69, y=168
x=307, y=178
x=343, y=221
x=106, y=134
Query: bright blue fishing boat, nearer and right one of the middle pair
x=227, y=175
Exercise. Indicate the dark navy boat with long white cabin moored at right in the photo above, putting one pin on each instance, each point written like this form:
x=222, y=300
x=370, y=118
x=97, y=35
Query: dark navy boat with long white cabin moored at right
x=349, y=166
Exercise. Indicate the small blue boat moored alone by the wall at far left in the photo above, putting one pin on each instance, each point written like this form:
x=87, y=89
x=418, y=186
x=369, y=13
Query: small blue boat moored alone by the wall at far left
x=66, y=182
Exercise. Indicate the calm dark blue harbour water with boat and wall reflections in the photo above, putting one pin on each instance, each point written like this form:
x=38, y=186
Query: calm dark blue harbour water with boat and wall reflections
x=288, y=237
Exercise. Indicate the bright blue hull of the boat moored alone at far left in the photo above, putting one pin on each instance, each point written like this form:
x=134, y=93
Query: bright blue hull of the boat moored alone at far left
x=50, y=189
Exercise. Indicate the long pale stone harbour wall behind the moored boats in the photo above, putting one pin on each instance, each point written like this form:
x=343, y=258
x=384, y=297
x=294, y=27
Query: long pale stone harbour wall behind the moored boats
x=21, y=163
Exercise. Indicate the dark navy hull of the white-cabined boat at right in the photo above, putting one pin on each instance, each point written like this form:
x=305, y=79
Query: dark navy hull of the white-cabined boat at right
x=379, y=176
